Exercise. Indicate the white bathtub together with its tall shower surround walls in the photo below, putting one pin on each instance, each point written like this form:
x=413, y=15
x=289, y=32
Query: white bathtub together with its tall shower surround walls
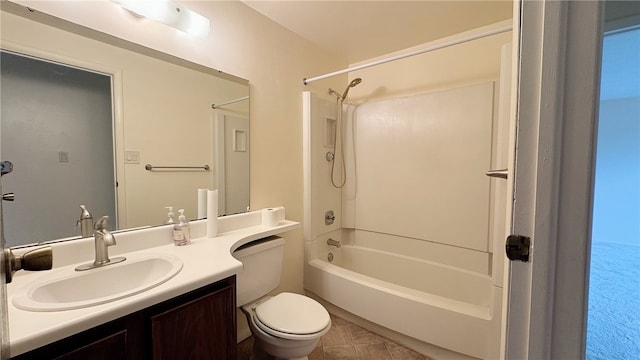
x=407, y=243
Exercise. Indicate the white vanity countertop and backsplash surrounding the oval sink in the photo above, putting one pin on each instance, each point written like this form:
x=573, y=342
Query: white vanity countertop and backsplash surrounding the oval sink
x=205, y=261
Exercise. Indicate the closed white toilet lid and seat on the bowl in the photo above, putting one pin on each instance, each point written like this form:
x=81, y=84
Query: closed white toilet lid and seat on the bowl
x=305, y=318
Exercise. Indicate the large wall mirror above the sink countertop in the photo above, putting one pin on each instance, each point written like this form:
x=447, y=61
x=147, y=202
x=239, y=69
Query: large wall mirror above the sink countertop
x=189, y=122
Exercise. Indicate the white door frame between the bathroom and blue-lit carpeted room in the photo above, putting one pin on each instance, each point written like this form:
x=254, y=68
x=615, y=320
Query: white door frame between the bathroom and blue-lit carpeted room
x=558, y=82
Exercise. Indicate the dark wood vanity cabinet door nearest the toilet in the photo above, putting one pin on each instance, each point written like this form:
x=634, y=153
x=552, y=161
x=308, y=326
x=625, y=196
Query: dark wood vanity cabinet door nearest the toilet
x=203, y=328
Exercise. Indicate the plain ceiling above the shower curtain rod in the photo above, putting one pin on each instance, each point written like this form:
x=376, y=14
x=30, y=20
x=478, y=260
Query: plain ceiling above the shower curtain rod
x=361, y=30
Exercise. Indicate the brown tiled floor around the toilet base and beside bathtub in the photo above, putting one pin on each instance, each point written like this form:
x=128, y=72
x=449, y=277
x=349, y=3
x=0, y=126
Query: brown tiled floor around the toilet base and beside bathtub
x=346, y=341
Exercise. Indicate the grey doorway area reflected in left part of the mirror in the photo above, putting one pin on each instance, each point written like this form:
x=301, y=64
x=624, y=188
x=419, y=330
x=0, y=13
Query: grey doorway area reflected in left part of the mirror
x=57, y=131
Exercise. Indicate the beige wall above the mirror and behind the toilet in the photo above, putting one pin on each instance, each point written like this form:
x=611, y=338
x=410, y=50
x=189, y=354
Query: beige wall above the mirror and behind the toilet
x=246, y=44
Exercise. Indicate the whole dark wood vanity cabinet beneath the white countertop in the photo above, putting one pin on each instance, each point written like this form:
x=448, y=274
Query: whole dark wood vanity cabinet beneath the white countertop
x=200, y=324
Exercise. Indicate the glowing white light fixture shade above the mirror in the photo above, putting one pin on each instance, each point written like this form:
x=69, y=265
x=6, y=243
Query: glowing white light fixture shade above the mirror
x=167, y=12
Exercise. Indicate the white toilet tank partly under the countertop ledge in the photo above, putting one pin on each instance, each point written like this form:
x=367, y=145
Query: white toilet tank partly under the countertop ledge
x=262, y=266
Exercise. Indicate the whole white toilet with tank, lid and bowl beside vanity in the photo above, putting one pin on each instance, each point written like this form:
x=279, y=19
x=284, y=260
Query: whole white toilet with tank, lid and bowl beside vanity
x=287, y=325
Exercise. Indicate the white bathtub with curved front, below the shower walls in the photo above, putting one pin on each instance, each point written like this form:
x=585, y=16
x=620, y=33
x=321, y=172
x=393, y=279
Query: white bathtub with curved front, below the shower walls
x=453, y=308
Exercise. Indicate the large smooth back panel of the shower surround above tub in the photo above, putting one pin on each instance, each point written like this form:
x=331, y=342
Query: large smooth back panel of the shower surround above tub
x=420, y=166
